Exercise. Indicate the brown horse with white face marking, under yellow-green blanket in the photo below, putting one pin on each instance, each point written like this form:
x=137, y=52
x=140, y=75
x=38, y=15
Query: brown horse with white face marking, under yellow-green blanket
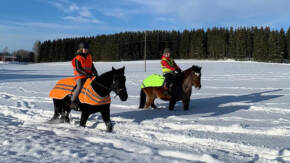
x=181, y=89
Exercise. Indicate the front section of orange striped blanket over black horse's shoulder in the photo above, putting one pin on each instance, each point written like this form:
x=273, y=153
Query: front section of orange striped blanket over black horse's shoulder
x=89, y=96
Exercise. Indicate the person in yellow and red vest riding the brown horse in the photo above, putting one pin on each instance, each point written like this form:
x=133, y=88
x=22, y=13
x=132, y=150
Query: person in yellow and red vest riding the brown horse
x=169, y=67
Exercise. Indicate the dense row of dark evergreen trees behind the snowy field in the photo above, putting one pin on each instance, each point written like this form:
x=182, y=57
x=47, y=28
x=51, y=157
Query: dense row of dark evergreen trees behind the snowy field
x=243, y=43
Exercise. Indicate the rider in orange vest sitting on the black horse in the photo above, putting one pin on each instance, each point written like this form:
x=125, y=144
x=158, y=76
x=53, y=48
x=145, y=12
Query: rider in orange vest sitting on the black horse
x=83, y=69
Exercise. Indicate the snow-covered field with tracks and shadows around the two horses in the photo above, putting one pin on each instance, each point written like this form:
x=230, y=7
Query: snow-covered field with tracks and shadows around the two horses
x=241, y=114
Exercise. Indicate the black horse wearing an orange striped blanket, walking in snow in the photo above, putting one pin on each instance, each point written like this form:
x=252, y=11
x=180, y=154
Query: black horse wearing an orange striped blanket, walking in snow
x=102, y=86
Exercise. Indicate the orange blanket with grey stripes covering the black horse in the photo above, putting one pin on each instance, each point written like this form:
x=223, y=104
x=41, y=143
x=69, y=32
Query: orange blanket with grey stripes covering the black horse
x=65, y=87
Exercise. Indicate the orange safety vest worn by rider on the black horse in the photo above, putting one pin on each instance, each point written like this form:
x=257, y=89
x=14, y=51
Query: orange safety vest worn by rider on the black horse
x=86, y=64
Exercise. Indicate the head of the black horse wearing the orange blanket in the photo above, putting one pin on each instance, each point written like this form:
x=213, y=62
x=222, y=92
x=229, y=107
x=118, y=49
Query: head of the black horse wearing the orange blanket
x=119, y=83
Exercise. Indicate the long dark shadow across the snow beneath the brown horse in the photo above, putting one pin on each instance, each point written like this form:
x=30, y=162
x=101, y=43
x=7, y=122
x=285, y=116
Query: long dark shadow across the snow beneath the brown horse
x=212, y=106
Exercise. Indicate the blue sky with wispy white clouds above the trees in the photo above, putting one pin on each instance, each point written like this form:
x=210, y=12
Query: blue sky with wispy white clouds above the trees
x=22, y=22
